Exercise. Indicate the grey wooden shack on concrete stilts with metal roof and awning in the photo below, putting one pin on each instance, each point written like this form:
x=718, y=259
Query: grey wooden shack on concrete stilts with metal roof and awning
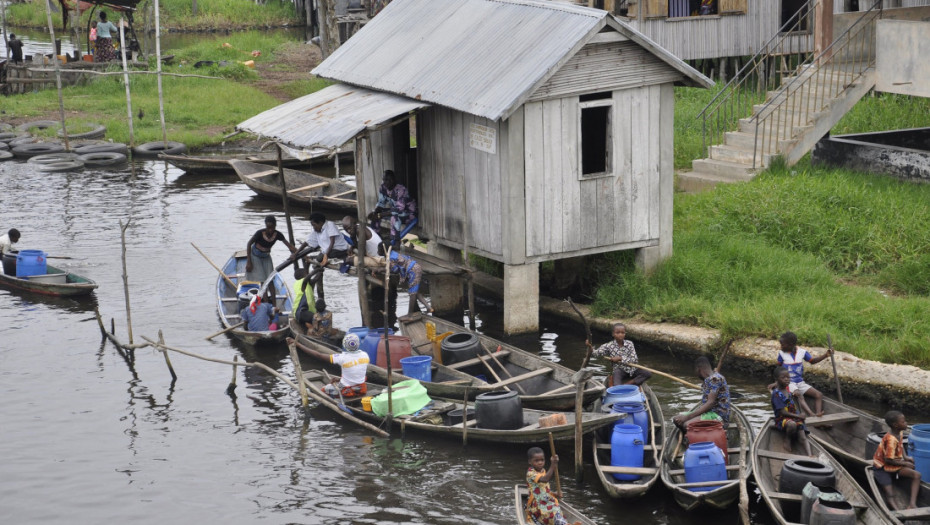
x=540, y=131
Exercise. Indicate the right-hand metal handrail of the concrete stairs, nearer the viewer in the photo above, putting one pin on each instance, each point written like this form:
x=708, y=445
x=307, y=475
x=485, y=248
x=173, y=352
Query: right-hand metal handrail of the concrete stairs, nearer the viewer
x=802, y=78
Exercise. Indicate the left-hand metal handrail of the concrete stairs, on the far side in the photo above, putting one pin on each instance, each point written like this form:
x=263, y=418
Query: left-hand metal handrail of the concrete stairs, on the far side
x=736, y=86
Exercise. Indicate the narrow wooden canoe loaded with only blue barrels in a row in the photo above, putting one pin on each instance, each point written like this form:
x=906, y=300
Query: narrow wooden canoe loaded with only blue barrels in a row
x=651, y=459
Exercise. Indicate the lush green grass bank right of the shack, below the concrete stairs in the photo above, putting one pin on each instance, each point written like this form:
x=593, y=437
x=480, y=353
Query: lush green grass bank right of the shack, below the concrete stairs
x=811, y=249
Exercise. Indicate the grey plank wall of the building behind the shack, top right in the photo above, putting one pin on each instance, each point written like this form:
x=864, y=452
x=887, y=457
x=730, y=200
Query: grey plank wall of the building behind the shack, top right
x=699, y=37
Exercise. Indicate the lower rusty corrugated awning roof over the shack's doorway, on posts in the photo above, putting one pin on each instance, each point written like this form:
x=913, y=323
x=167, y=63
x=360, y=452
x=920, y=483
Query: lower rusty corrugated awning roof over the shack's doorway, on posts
x=328, y=118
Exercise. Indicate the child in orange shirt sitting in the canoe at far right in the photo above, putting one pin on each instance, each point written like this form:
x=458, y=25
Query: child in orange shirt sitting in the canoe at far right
x=890, y=462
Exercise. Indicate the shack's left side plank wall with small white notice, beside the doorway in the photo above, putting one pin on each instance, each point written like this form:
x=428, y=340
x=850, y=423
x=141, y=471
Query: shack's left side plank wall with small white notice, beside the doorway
x=445, y=158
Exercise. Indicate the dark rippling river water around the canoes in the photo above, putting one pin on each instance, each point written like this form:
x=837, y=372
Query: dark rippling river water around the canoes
x=85, y=438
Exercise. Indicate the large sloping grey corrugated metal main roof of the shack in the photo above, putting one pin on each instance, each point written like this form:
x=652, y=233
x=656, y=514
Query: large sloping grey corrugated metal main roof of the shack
x=477, y=56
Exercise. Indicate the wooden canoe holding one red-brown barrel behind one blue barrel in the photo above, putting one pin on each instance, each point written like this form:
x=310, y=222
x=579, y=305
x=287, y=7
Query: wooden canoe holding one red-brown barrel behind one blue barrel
x=739, y=442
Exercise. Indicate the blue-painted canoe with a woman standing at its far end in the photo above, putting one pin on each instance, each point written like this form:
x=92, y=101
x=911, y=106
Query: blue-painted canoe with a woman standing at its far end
x=227, y=303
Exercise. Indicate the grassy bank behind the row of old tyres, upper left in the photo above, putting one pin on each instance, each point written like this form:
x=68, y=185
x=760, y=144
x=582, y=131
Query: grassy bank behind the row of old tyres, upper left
x=192, y=112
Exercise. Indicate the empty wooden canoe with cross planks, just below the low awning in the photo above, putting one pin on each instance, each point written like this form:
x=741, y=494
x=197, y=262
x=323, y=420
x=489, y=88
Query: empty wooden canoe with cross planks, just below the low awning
x=303, y=188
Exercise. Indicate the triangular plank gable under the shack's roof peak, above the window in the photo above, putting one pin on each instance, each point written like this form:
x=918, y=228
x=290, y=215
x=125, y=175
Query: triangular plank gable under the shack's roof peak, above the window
x=615, y=65
